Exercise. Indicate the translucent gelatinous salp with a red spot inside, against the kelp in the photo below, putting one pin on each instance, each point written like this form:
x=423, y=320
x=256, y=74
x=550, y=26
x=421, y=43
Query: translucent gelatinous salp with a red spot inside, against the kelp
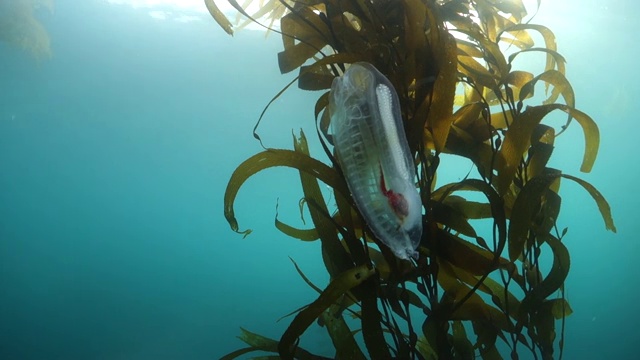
x=372, y=151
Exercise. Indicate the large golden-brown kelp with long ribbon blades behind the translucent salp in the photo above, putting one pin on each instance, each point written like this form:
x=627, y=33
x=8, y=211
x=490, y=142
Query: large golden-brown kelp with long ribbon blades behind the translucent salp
x=453, y=65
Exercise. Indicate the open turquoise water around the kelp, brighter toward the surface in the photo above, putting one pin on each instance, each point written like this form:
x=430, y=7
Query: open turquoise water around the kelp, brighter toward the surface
x=114, y=157
